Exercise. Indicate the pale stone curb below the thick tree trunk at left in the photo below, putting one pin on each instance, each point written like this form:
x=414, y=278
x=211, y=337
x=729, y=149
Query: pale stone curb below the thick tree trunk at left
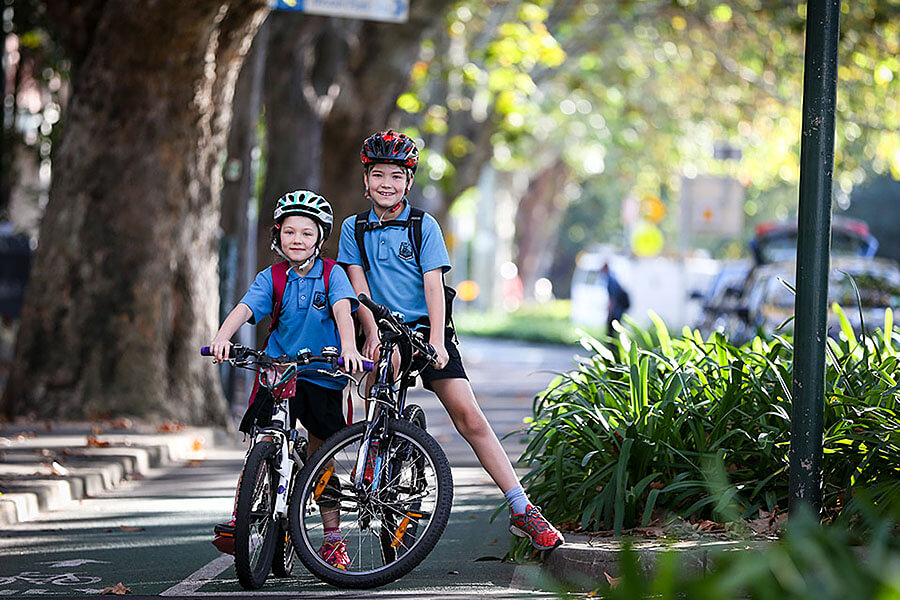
x=46, y=470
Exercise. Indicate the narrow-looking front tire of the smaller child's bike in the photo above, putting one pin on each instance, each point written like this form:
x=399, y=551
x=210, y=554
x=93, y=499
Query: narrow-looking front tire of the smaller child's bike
x=256, y=500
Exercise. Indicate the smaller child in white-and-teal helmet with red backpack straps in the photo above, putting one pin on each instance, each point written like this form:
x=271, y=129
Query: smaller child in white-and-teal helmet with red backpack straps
x=303, y=221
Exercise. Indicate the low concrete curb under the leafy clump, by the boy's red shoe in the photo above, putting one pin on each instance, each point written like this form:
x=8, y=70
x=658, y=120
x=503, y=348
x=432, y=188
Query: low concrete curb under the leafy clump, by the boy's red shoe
x=584, y=563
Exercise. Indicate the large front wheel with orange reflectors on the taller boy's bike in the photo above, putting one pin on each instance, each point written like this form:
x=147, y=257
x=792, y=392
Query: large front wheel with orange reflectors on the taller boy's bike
x=389, y=525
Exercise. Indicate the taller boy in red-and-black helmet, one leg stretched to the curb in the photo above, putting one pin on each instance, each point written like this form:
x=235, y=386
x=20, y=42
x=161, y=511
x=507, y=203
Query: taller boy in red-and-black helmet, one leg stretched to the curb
x=411, y=280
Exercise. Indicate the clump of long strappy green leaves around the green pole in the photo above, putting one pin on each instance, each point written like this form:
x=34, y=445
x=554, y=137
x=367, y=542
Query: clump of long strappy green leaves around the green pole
x=655, y=425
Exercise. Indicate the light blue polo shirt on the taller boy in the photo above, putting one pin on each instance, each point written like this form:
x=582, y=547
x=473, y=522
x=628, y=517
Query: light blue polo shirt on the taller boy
x=394, y=277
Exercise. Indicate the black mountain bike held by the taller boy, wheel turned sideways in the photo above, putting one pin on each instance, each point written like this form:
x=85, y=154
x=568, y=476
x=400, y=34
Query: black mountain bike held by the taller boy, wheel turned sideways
x=387, y=479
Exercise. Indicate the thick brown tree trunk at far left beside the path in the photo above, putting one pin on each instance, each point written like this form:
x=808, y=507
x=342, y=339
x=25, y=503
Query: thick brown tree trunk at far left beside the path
x=124, y=286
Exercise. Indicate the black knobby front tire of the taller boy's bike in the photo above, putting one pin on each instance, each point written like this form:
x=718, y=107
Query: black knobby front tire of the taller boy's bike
x=327, y=460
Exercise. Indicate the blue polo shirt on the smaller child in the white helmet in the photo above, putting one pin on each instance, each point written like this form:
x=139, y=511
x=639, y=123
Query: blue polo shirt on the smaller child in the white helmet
x=306, y=320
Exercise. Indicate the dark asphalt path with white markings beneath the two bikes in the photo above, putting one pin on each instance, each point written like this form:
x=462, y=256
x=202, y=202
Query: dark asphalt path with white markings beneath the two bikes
x=153, y=535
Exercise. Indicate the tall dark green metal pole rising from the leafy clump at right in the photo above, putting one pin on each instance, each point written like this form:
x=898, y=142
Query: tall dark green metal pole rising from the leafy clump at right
x=813, y=244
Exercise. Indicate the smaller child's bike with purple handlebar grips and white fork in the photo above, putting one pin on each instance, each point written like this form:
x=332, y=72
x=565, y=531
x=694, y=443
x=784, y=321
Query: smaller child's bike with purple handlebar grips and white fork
x=276, y=454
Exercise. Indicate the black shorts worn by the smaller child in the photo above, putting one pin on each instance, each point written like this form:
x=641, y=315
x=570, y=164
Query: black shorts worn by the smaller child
x=319, y=409
